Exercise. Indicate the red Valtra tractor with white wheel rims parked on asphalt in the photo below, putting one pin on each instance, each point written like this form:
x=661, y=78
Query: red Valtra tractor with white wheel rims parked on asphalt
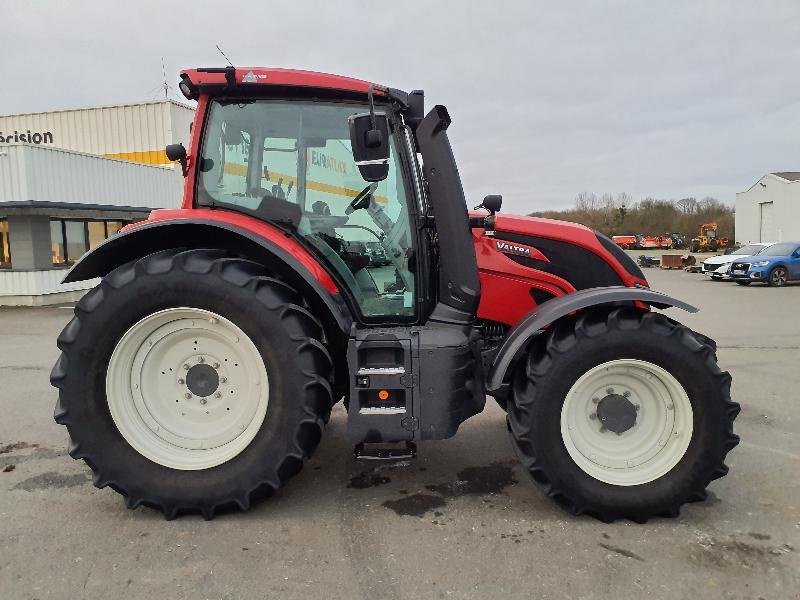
x=199, y=374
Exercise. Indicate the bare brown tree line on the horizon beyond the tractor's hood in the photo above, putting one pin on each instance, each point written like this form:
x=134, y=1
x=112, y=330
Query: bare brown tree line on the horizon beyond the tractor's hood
x=622, y=215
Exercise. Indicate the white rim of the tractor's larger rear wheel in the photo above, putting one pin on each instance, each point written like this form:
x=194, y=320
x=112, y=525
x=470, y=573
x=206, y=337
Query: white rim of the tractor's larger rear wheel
x=176, y=417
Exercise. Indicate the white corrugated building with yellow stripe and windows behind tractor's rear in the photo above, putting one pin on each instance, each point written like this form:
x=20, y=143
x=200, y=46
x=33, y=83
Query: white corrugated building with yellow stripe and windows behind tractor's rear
x=70, y=179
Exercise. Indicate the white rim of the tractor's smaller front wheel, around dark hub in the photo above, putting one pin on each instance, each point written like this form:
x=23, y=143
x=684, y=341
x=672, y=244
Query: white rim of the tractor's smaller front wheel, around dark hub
x=646, y=451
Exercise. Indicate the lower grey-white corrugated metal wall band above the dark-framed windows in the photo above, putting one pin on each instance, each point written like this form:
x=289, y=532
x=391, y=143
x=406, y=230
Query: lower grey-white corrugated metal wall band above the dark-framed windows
x=44, y=174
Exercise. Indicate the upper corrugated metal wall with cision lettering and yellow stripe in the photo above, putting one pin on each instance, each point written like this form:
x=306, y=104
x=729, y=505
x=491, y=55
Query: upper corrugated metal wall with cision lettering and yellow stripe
x=136, y=132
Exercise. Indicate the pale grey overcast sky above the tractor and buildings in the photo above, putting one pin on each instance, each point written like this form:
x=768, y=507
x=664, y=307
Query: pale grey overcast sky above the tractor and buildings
x=665, y=99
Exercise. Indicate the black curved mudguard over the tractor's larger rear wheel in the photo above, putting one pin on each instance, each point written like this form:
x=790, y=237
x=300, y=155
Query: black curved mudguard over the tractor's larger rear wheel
x=156, y=235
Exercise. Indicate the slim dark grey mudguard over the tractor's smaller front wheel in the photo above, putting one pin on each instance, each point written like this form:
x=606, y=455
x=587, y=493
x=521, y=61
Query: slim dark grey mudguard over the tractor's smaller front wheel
x=548, y=312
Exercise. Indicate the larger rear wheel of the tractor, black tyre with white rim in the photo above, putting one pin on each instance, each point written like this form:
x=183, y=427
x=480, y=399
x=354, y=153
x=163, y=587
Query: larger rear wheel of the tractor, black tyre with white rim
x=192, y=381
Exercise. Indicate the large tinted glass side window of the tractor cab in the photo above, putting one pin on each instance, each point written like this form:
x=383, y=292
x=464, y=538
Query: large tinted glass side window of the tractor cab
x=292, y=162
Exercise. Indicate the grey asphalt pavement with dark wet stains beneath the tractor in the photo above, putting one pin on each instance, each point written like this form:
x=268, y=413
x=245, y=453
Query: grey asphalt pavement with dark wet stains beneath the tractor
x=462, y=521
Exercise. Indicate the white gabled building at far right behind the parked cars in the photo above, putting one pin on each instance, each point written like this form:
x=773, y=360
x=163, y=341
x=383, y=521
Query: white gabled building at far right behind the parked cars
x=769, y=211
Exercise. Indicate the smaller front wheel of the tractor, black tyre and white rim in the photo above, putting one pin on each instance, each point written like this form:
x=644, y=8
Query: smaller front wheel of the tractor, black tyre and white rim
x=622, y=414
